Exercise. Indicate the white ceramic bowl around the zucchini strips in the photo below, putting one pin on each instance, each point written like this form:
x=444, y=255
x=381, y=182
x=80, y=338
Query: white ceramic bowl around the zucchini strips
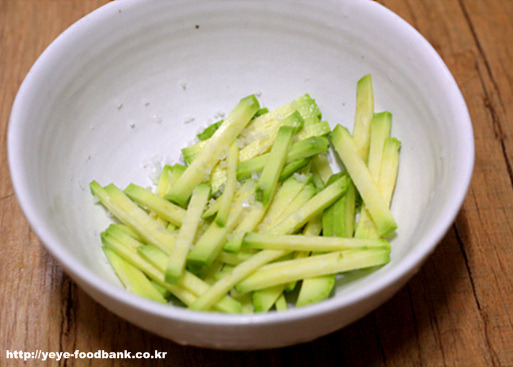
x=132, y=82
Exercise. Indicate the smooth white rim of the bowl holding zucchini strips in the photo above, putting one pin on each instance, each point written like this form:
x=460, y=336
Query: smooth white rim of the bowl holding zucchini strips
x=405, y=268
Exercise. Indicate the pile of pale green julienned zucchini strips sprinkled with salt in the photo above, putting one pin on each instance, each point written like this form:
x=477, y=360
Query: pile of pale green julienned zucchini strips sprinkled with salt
x=257, y=210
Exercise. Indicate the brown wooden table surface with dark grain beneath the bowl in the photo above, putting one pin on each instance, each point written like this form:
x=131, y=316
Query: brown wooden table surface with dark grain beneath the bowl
x=457, y=311
